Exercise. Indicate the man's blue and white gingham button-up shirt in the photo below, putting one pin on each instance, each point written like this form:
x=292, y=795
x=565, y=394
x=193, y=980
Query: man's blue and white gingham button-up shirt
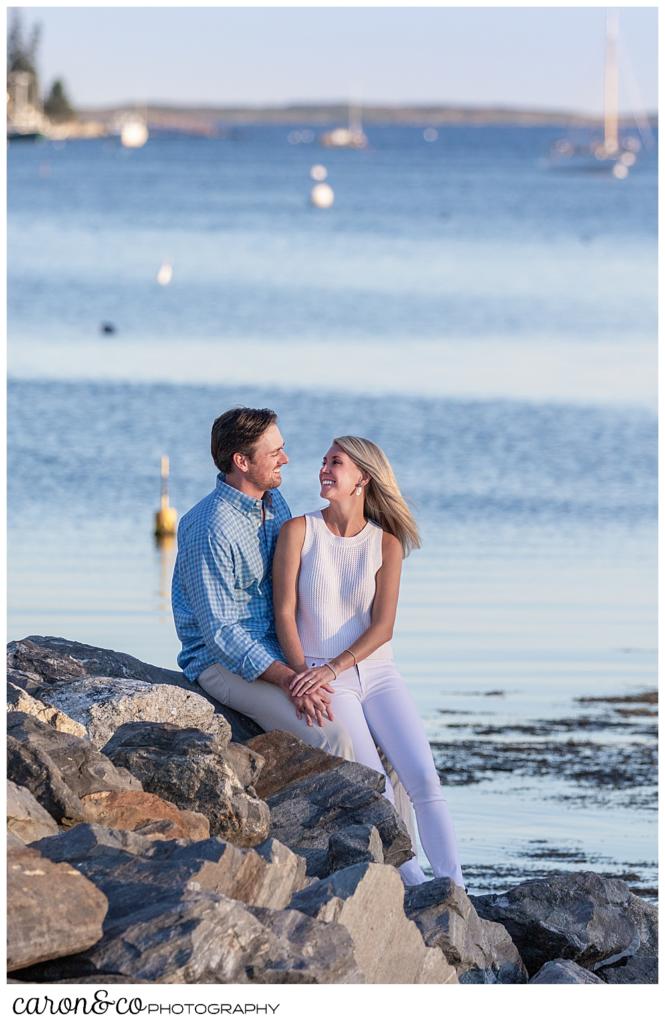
x=223, y=582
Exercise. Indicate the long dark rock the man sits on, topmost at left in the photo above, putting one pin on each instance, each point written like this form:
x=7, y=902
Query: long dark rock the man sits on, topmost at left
x=38, y=661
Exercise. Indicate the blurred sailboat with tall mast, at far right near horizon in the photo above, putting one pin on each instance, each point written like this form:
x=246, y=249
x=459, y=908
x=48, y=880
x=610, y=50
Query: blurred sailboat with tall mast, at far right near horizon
x=612, y=155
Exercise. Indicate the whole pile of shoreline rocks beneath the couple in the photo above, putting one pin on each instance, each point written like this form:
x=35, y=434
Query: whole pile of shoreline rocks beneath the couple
x=158, y=837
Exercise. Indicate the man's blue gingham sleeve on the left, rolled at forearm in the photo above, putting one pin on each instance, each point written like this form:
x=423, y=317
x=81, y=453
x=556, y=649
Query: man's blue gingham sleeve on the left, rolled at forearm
x=210, y=582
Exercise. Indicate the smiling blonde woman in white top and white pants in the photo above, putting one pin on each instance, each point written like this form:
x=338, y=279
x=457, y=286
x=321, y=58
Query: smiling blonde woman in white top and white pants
x=336, y=585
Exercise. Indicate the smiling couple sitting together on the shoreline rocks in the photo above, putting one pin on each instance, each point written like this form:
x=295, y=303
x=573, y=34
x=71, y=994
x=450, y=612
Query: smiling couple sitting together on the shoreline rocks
x=289, y=620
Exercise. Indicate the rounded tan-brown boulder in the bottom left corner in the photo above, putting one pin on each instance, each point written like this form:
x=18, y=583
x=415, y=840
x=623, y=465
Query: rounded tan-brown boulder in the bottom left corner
x=53, y=910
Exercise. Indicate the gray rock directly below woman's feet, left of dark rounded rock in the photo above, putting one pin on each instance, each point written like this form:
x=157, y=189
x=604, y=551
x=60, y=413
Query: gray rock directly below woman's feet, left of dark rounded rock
x=481, y=952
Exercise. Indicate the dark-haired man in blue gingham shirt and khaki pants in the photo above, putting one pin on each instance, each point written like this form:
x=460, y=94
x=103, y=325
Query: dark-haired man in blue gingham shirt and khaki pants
x=223, y=586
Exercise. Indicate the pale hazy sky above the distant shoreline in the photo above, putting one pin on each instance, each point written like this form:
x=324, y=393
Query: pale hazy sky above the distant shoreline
x=549, y=58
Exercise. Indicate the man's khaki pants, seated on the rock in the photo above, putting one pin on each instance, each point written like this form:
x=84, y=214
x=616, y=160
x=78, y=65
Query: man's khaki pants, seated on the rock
x=272, y=709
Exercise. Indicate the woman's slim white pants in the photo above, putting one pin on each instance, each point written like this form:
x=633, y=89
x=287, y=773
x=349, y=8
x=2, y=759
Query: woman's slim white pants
x=372, y=703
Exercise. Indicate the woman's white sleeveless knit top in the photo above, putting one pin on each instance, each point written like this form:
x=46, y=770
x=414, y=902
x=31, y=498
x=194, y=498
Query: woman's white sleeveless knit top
x=337, y=588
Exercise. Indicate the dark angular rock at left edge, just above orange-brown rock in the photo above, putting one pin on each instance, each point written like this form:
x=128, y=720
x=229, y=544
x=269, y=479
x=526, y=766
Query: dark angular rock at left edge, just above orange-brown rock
x=59, y=769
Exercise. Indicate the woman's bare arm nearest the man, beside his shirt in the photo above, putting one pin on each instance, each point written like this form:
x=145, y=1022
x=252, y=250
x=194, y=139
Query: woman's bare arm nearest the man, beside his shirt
x=286, y=567
